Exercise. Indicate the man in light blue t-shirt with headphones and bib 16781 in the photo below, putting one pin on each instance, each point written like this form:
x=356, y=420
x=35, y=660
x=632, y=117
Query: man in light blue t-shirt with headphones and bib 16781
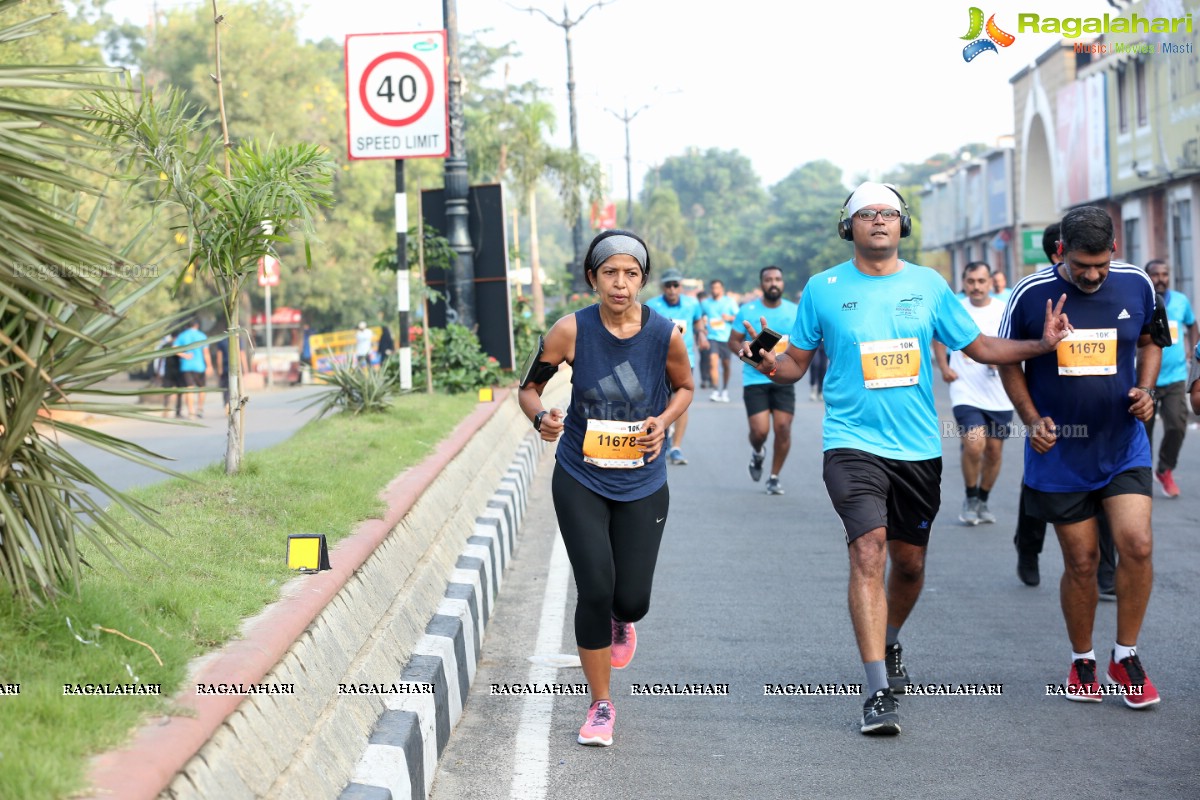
x=879, y=317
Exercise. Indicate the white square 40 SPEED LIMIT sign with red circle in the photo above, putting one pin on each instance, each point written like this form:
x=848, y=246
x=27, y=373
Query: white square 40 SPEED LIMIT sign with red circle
x=397, y=95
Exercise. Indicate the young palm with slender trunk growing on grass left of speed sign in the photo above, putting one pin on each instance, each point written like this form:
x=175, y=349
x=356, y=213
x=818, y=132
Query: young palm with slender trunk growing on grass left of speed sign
x=233, y=216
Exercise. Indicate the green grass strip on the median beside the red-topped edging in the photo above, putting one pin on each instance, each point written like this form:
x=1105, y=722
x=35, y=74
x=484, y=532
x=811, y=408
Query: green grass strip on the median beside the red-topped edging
x=224, y=562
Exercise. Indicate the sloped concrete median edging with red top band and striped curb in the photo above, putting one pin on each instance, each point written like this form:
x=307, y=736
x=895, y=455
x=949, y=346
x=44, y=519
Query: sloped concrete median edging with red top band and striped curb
x=381, y=616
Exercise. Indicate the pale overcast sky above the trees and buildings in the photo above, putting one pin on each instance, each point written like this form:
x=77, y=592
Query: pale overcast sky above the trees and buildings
x=867, y=85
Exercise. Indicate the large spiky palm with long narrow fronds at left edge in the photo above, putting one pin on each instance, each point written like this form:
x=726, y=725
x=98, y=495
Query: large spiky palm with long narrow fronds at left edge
x=63, y=303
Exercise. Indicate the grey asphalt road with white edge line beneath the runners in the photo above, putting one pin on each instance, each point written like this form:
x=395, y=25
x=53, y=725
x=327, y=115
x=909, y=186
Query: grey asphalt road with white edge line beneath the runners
x=752, y=590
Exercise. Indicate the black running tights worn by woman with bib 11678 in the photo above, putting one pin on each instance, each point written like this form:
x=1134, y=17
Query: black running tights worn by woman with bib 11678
x=614, y=546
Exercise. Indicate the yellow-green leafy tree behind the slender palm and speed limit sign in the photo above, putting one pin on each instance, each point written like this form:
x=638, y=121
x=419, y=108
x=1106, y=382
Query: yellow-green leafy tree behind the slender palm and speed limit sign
x=289, y=91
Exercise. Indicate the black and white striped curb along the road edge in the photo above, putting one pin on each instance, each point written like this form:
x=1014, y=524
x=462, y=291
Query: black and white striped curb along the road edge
x=403, y=753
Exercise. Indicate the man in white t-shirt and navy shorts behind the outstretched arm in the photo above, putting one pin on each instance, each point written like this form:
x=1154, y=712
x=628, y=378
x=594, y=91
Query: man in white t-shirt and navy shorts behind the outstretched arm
x=982, y=410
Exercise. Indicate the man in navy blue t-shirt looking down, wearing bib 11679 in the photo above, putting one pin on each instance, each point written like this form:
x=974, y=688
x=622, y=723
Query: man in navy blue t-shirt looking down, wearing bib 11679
x=1087, y=448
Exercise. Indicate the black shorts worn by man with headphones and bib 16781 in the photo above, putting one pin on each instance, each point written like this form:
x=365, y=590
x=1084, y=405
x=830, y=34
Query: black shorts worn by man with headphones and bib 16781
x=871, y=492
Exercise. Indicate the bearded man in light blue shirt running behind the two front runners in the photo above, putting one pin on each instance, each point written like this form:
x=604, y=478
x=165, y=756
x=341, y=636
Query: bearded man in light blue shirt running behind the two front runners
x=767, y=405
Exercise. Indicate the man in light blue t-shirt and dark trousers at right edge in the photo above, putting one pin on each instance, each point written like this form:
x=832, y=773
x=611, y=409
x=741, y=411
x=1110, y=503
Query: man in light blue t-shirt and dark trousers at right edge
x=1172, y=402
